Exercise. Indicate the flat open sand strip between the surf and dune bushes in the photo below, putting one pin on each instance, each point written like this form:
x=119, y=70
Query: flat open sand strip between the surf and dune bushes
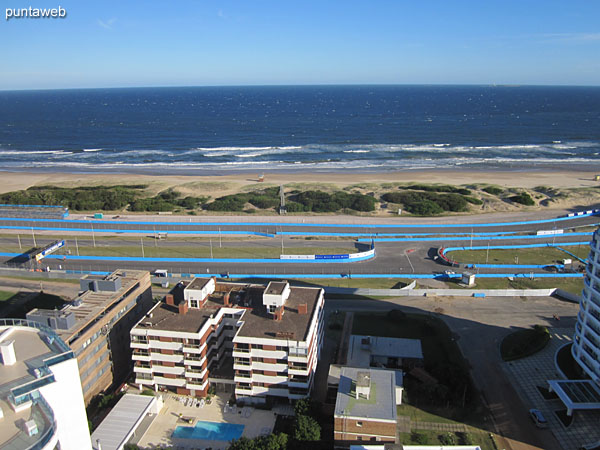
x=230, y=183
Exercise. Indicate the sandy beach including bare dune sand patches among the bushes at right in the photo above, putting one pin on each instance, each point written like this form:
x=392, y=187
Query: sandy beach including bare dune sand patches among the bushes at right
x=572, y=189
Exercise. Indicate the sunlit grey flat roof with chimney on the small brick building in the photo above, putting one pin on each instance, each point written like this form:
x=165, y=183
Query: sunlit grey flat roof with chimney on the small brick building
x=381, y=403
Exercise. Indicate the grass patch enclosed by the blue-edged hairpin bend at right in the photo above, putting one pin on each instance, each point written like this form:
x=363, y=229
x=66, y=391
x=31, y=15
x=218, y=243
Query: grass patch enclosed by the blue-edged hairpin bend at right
x=538, y=255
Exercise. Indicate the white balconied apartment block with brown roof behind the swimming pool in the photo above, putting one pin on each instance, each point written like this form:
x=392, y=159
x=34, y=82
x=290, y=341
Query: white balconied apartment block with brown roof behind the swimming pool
x=261, y=341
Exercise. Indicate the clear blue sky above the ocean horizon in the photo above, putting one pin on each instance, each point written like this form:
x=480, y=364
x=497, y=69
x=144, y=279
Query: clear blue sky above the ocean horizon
x=196, y=42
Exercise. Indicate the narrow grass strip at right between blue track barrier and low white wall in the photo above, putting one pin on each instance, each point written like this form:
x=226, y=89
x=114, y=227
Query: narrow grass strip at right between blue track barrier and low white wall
x=570, y=284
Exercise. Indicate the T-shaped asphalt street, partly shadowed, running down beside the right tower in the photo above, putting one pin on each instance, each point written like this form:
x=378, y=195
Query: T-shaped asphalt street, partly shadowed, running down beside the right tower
x=480, y=326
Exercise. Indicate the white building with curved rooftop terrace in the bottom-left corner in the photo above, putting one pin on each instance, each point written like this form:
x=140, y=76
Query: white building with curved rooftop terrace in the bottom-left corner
x=41, y=400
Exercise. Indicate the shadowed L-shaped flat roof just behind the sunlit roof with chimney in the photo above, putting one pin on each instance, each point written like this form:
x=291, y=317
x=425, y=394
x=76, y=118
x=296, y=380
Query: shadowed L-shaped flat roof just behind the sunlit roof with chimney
x=361, y=348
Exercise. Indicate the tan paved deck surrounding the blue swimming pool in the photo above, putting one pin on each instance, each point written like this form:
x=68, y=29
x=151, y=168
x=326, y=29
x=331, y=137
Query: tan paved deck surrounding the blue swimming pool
x=256, y=422
